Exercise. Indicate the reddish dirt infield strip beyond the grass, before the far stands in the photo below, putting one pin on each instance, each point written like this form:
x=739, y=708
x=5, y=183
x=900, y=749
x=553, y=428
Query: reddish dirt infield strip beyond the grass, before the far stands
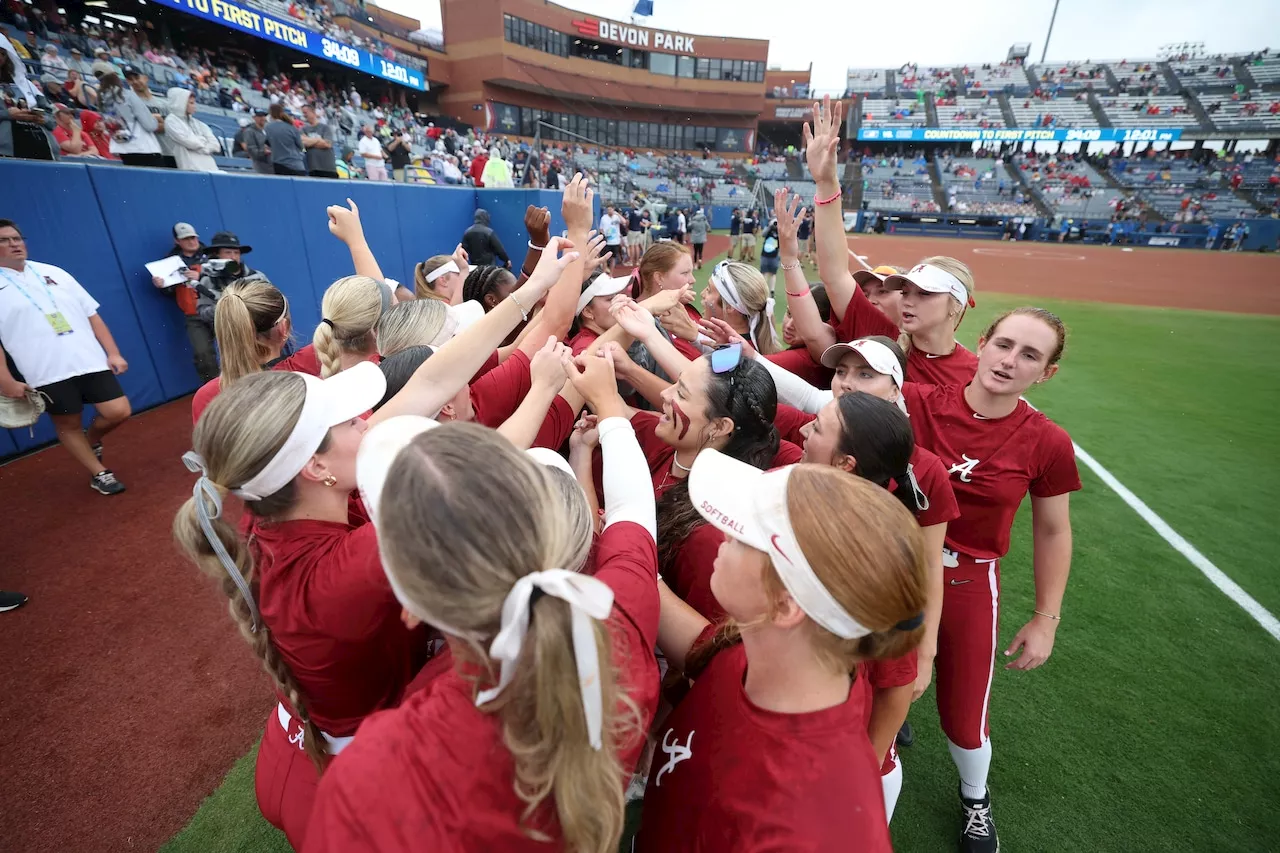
x=1241, y=282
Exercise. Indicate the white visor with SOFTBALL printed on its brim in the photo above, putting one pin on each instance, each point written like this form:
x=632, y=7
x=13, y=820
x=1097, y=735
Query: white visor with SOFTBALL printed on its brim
x=751, y=507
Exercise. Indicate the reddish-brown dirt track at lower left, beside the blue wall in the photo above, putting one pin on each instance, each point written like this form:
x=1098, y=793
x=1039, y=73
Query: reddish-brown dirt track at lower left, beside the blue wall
x=127, y=695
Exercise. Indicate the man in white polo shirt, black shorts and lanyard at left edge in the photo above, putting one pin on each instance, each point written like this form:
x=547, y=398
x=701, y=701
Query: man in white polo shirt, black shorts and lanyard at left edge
x=62, y=348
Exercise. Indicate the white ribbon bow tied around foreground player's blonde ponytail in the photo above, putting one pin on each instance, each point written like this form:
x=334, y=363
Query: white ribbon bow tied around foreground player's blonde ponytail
x=588, y=599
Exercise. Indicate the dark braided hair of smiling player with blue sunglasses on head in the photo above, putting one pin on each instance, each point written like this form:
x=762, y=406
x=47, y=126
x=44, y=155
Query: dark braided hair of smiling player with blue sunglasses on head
x=752, y=407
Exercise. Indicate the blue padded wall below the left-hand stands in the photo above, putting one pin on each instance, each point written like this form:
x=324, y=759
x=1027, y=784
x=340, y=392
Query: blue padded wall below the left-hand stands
x=103, y=223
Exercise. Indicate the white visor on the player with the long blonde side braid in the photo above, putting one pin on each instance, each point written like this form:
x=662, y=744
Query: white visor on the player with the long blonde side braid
x=328, y=403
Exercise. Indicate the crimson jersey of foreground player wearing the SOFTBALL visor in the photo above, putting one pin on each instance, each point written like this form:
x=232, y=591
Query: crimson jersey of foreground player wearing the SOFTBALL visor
x=730, y=777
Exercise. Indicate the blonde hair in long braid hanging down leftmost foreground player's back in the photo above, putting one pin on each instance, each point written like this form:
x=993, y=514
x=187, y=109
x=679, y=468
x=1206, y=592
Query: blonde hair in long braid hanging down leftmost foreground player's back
x=239, y=435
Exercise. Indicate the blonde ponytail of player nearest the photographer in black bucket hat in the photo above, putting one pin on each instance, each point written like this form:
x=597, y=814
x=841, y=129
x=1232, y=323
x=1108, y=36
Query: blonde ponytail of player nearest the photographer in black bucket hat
x=246, y=316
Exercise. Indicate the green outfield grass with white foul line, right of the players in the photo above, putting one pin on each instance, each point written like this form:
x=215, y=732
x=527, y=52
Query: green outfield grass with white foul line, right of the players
x=1153, y=727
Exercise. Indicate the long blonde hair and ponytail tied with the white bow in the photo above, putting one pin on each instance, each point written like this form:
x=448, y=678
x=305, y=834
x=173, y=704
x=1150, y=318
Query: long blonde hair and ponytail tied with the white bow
x=447, y=559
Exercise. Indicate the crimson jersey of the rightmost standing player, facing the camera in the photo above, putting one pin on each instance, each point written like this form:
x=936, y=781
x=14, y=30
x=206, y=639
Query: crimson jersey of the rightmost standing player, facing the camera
x=994, y=463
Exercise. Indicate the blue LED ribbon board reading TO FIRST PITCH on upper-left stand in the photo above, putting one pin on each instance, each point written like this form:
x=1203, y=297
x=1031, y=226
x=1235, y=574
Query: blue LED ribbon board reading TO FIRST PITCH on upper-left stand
x=282, y=33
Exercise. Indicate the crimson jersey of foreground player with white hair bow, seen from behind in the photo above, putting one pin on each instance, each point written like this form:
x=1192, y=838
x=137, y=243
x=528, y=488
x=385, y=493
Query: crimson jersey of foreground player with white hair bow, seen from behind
x=436, y=774
